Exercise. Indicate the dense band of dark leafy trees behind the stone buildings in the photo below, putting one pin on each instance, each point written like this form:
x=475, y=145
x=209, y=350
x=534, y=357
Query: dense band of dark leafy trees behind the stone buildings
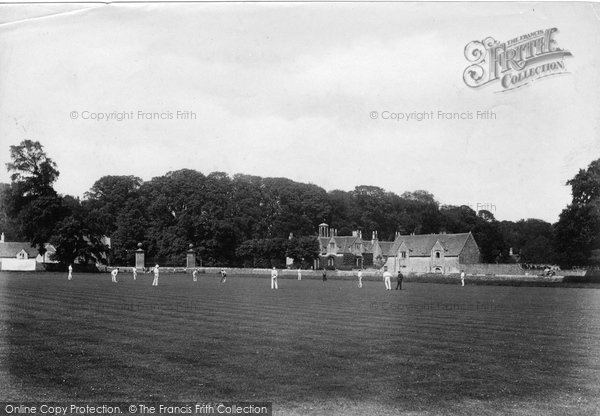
x=245, y=220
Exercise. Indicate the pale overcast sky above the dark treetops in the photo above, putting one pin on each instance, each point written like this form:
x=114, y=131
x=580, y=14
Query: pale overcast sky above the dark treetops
x=287, y=90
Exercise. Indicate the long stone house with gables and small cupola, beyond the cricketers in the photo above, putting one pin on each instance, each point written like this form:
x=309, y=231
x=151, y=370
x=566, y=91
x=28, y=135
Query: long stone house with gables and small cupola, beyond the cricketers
x=425, y=253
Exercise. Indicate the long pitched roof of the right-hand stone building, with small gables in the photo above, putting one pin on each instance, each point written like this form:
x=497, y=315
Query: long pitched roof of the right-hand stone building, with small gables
x=421, y=245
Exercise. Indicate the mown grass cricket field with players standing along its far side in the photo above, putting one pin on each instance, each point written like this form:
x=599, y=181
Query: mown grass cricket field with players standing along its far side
x=310, y=348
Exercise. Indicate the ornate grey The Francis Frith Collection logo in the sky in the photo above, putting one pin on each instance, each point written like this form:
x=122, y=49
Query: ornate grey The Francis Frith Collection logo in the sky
x=516, y=62
